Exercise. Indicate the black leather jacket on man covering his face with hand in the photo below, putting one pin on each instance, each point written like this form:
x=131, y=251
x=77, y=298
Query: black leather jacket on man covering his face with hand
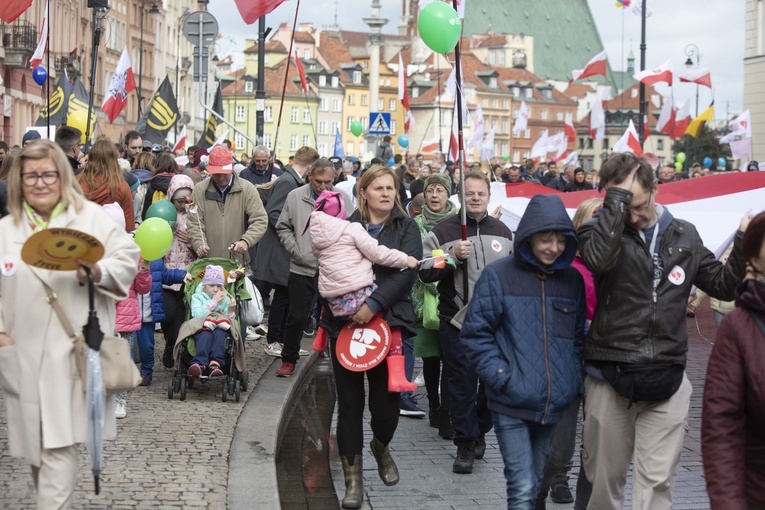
x=629, y=325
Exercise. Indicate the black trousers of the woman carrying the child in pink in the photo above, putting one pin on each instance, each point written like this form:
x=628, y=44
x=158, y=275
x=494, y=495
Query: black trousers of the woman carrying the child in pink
x=383, y=406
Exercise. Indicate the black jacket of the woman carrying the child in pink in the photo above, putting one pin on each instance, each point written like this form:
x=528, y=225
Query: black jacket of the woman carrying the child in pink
x=393, y=293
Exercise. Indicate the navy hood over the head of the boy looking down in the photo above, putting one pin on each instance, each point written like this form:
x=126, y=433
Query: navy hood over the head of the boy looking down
x=543, y=214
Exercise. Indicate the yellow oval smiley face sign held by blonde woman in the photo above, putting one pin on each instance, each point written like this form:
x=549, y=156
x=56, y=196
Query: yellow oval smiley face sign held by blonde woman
x=58, y=249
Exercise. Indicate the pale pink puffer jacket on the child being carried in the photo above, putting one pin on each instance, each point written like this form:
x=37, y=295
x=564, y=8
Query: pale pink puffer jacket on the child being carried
x=345, y=253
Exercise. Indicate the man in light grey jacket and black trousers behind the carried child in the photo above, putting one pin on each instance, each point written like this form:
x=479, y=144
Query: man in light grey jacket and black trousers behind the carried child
x=303, y=265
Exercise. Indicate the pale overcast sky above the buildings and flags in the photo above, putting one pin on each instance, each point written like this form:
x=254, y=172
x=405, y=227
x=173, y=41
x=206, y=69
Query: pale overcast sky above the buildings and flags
x=716, y=27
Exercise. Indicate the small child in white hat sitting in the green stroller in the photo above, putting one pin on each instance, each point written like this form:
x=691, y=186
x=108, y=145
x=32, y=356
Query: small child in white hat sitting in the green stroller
x=210, y=297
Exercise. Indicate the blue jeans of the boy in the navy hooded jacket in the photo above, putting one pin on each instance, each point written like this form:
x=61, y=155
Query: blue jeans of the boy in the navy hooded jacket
x=524, y=446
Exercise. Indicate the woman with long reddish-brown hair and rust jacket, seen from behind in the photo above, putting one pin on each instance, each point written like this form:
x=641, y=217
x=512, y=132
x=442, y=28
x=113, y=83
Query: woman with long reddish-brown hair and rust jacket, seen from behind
x=103, y=183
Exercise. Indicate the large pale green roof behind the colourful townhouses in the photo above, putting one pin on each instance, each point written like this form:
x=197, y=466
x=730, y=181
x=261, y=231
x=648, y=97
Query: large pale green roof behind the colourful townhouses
x=564, y=31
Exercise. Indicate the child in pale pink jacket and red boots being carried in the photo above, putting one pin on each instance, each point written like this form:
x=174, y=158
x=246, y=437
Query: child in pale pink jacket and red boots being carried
x=346, y=252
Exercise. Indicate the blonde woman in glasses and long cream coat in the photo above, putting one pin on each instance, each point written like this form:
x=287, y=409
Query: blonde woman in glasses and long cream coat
x=44, y=395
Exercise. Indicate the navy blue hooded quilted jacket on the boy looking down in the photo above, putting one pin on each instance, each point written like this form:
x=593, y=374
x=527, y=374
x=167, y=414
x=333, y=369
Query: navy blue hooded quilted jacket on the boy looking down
x=525, y=323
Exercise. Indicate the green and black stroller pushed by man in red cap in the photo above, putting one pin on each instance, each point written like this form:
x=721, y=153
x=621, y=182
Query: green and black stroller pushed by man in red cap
x=235, y=378
